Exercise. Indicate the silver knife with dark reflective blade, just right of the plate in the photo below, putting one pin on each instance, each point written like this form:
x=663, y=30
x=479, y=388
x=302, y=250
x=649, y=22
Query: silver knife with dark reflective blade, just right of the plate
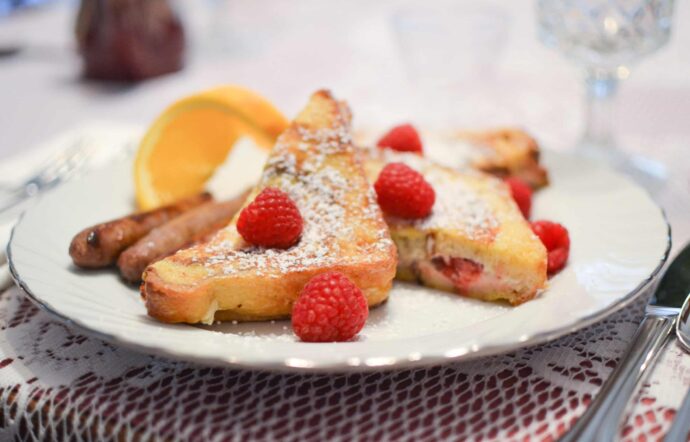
x=602, y=420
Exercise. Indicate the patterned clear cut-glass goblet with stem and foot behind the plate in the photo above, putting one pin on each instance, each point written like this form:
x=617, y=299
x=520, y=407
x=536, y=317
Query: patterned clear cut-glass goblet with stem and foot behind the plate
x=606, y=37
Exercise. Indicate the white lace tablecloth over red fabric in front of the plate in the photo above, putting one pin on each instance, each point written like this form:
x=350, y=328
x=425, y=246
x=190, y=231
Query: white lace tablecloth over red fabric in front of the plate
x=58, y=384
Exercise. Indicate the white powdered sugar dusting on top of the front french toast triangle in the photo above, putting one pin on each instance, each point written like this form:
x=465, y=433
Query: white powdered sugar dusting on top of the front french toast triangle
x=335, y=201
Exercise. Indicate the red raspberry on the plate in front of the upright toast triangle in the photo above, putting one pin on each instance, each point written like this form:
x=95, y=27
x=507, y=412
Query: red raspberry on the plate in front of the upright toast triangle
x=331, y=308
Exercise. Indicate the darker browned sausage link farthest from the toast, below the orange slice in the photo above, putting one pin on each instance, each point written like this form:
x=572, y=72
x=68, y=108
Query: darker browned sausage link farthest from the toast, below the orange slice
x=100, y=245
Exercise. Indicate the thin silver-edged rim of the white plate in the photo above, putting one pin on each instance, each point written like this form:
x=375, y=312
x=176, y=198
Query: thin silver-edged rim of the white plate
x=390, y=363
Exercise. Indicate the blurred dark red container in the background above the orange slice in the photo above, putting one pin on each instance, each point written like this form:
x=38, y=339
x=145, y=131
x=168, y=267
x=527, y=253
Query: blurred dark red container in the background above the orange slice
x=129, y=40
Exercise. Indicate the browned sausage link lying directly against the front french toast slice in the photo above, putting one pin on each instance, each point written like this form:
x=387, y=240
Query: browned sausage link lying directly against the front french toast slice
x=187, y=229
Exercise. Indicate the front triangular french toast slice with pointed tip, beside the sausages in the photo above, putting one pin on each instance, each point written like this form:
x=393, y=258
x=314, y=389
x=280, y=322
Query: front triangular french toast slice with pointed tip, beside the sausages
x=315, y=162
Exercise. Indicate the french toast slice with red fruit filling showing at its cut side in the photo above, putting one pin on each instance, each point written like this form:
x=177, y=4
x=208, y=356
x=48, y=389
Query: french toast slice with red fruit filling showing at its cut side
x=475, y=242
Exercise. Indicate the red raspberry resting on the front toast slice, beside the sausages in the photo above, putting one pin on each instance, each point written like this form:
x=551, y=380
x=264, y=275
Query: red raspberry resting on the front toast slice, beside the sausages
x=271, y=220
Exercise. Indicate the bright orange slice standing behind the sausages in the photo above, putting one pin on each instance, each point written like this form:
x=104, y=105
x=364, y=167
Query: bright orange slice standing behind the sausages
x=192, y=137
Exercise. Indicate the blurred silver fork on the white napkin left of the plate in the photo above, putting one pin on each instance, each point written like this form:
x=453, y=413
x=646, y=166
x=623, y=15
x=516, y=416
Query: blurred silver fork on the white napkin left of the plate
x=60, y=167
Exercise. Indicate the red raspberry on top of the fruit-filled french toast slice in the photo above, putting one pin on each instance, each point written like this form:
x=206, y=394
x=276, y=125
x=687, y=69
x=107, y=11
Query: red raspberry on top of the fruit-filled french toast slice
x=404, y=192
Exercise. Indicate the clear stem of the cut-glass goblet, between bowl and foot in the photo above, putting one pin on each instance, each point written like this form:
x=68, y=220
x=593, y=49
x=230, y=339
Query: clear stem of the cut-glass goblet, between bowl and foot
x=602, y=85
